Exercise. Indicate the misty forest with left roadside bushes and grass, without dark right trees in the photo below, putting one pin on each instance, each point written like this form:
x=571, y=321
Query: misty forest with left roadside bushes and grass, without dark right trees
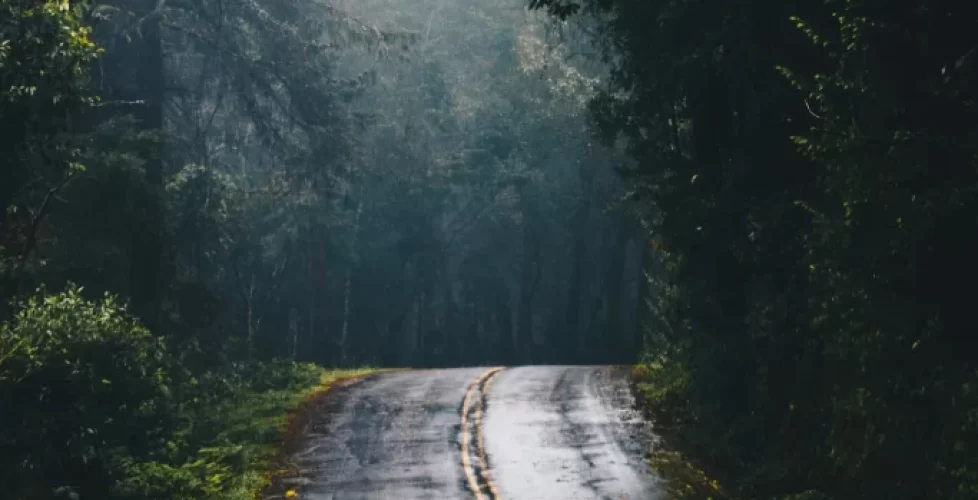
x=199, y=194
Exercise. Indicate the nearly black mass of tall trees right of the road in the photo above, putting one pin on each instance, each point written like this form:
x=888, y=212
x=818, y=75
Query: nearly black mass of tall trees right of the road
x=808, y=173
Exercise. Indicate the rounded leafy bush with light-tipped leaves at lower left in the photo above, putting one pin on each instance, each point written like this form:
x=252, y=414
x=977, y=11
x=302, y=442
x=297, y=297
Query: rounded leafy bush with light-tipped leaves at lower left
x=82, y=384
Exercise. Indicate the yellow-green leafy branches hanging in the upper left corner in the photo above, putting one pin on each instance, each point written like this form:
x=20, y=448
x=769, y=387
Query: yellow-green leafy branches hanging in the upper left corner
x=45, y=51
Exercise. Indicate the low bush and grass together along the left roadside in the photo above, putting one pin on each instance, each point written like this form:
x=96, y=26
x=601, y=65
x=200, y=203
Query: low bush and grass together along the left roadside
x=96, y=405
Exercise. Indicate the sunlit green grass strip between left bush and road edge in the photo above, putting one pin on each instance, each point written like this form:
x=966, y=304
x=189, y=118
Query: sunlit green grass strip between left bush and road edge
x=234, y=443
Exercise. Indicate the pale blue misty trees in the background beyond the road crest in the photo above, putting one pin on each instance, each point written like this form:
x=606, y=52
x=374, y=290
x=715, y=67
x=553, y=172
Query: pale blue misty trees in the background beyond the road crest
x=329, y=209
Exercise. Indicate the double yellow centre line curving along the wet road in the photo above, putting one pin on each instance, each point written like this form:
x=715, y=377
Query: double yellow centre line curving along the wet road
x=477, y=391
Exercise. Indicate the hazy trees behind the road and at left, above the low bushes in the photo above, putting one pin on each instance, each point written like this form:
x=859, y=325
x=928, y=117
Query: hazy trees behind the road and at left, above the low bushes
x=329, y=182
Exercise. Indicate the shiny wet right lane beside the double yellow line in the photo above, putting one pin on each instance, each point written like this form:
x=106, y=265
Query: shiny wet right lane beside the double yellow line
x=567, y=433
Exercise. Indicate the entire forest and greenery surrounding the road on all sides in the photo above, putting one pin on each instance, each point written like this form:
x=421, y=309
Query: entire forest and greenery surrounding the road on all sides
x=769, y=207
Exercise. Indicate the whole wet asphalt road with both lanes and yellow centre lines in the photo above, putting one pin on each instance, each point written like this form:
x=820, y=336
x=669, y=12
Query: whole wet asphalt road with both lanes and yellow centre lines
x=527, y=433
